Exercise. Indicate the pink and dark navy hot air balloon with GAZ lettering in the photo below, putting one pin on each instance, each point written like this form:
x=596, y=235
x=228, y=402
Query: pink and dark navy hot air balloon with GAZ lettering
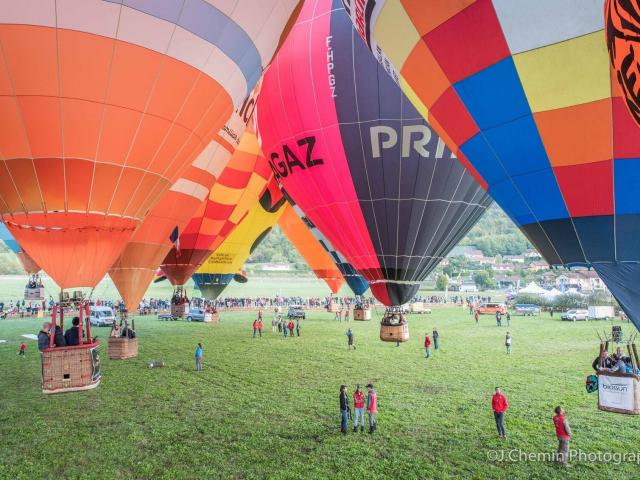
x=359, y=160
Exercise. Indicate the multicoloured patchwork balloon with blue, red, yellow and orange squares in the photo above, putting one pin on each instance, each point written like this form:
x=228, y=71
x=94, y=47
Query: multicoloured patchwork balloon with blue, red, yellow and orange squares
x=522, y=92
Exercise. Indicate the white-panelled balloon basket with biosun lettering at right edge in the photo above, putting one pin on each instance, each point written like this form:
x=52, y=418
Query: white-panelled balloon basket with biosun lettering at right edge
x=619, y=393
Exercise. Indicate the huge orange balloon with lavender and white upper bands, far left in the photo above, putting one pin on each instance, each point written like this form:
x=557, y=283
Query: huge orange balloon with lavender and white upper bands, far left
x=103, y=105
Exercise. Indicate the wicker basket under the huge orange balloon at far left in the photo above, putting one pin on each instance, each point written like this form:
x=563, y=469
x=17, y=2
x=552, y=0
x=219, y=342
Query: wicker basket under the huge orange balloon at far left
x=69, y=369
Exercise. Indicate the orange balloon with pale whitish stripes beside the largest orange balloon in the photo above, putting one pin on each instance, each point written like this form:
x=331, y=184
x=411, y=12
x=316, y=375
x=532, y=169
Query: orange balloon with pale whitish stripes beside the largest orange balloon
x=137, y=265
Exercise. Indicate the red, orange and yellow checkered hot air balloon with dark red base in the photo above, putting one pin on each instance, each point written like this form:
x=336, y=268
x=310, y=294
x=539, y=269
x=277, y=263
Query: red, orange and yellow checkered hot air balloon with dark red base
x=232, y=196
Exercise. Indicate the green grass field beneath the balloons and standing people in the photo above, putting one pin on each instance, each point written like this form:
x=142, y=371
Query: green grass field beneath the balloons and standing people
x=268, y=408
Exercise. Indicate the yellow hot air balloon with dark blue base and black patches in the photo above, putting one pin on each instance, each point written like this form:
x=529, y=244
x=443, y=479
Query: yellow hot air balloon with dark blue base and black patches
x=218, y=270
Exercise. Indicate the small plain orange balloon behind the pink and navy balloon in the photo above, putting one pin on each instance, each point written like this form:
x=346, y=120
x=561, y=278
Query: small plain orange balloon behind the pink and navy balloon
x=317, y=257
